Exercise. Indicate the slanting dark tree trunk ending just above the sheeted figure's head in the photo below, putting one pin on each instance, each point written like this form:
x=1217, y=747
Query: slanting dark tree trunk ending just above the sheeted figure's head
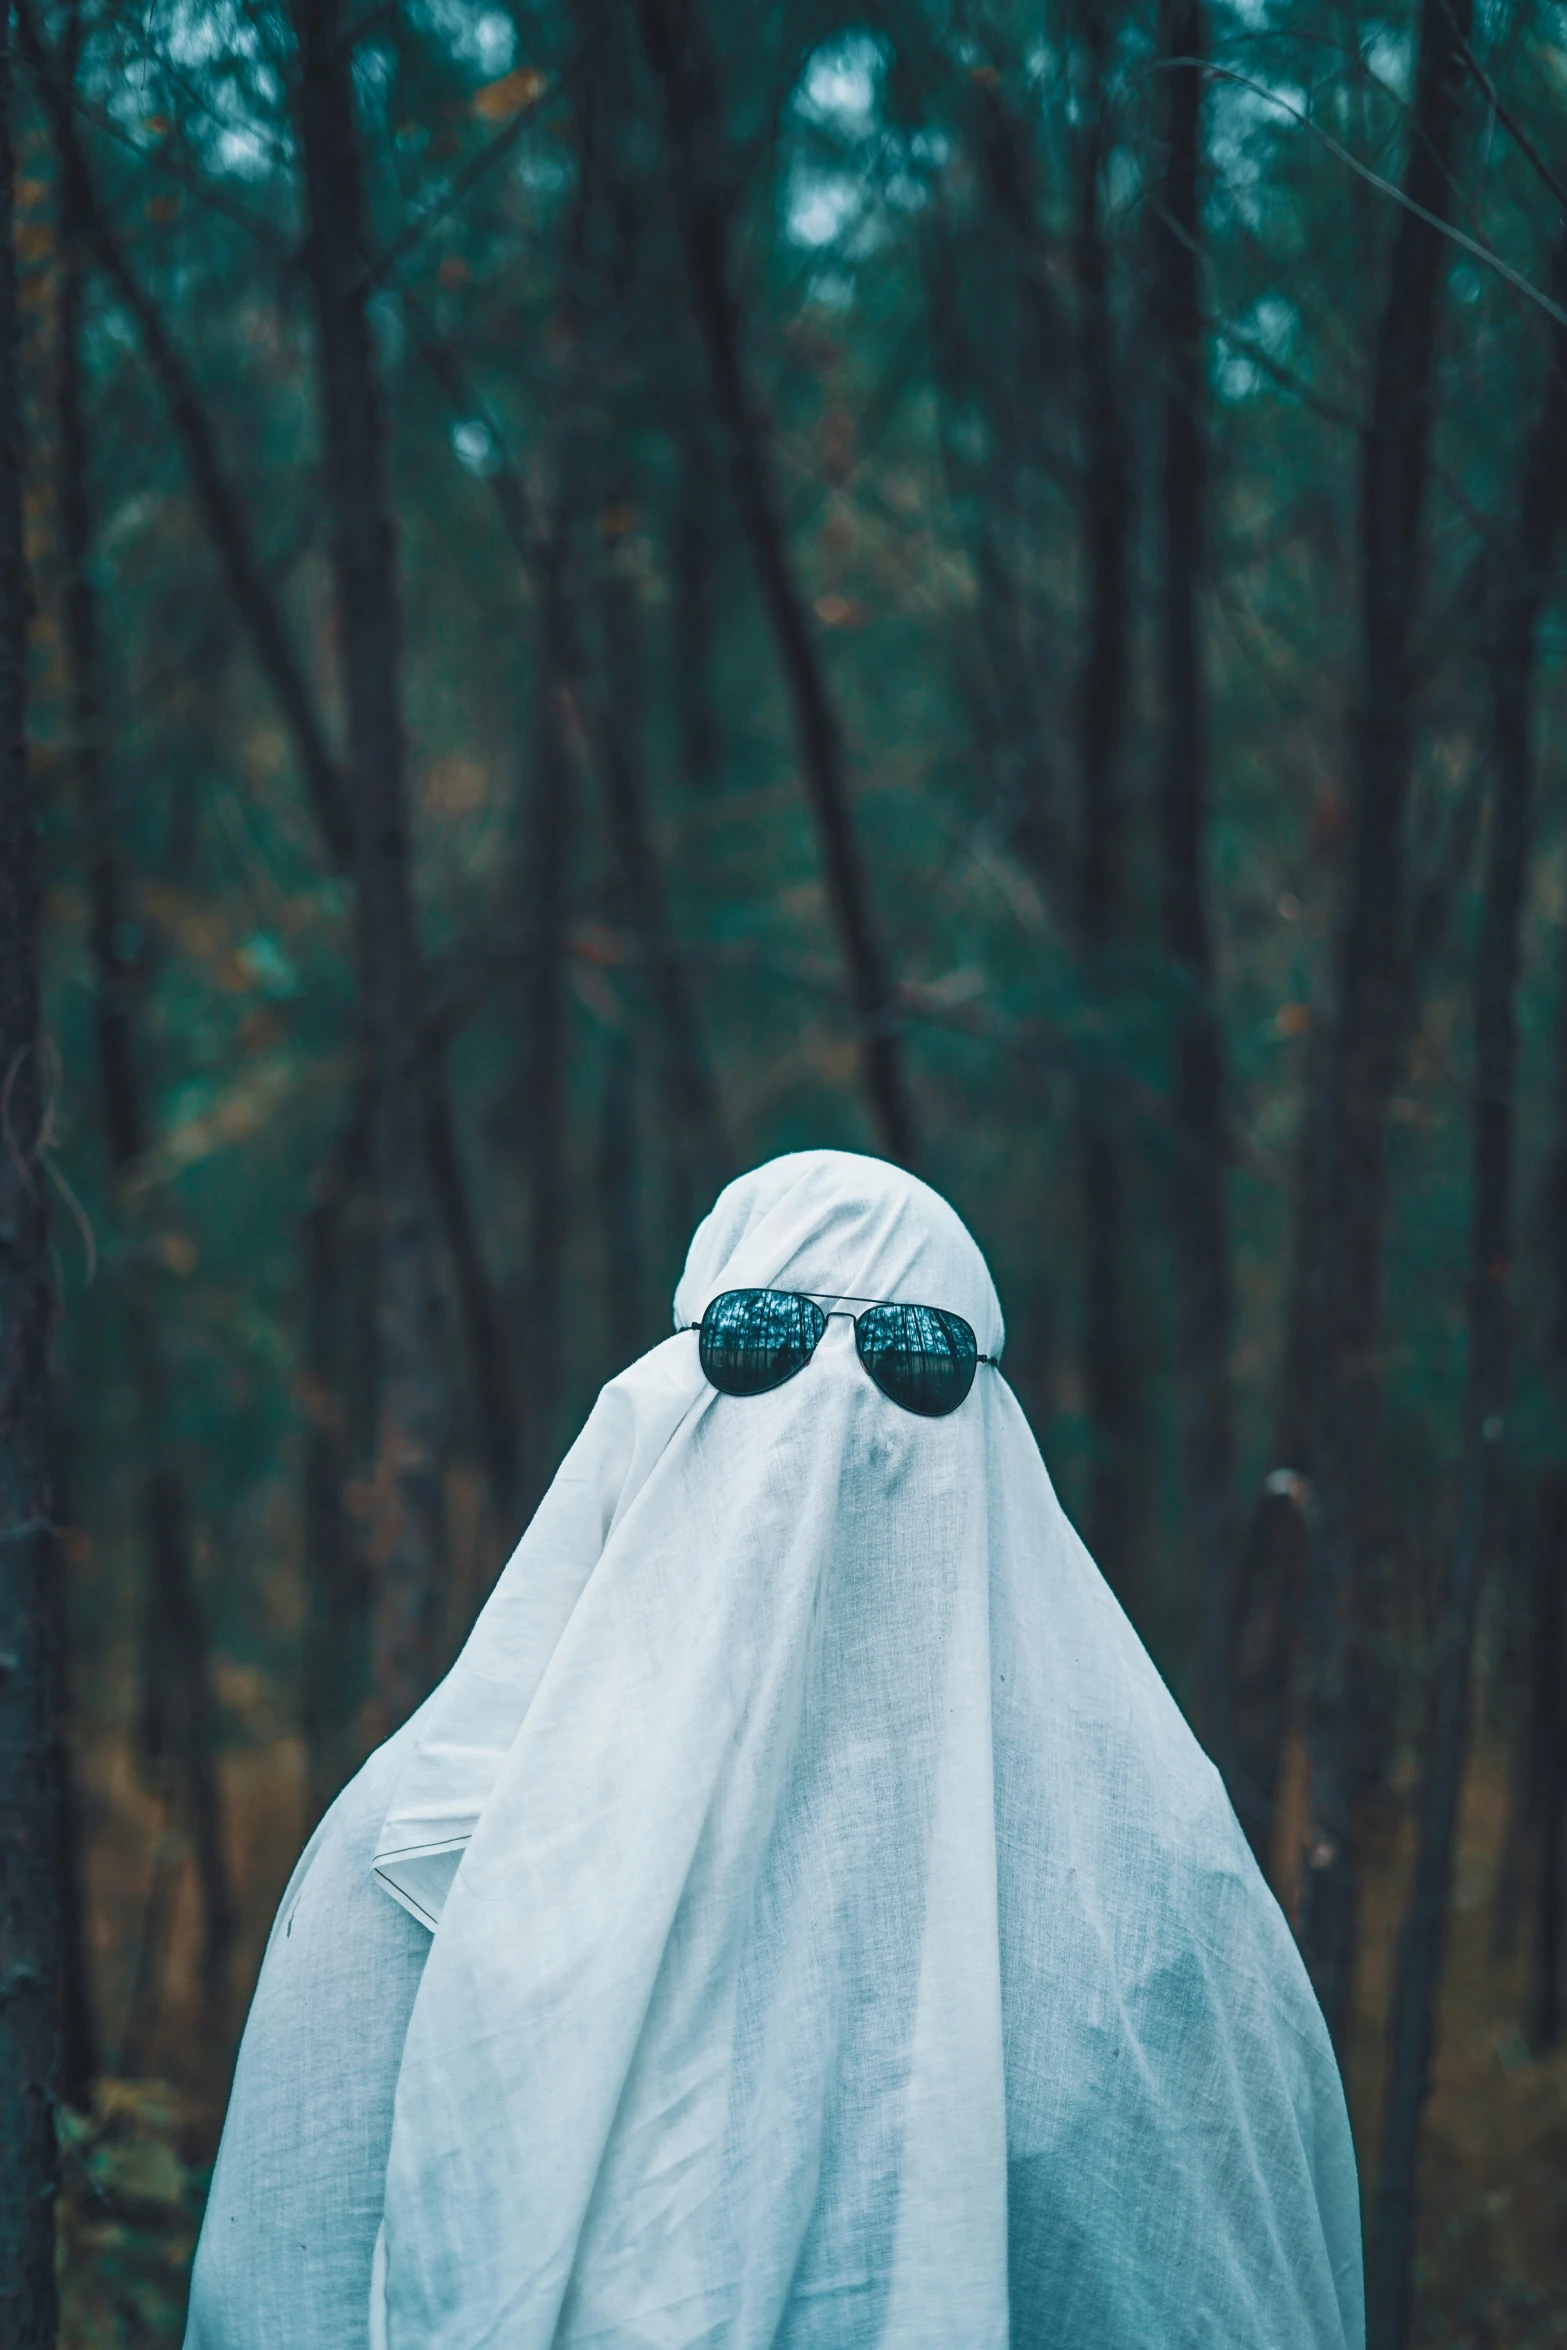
x=682, y=58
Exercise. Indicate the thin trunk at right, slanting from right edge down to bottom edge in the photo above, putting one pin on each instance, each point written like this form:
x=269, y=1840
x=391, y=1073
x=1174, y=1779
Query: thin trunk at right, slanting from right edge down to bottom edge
x=1495, y=1014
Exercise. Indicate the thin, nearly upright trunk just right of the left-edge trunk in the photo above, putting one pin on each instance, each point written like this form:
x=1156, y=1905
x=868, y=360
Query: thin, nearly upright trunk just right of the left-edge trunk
x=177, y=1677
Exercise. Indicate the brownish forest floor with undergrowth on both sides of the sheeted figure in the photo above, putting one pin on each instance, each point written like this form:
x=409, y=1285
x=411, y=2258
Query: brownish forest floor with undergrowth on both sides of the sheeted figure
x=1493, y=2245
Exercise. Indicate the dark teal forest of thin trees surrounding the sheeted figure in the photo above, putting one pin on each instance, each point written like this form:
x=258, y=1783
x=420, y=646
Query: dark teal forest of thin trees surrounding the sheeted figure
x=593, y=591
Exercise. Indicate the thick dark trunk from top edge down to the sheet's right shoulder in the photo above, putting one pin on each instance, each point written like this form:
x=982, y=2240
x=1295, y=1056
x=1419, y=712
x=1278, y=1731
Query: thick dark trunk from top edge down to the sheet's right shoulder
x=1364, y=1023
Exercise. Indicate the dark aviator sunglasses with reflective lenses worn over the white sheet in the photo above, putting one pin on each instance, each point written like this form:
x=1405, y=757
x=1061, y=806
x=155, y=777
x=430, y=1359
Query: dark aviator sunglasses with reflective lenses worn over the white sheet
x=922, y=1357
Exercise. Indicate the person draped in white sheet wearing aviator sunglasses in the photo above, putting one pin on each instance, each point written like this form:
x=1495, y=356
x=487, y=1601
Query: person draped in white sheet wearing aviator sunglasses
x=802, y=1916
